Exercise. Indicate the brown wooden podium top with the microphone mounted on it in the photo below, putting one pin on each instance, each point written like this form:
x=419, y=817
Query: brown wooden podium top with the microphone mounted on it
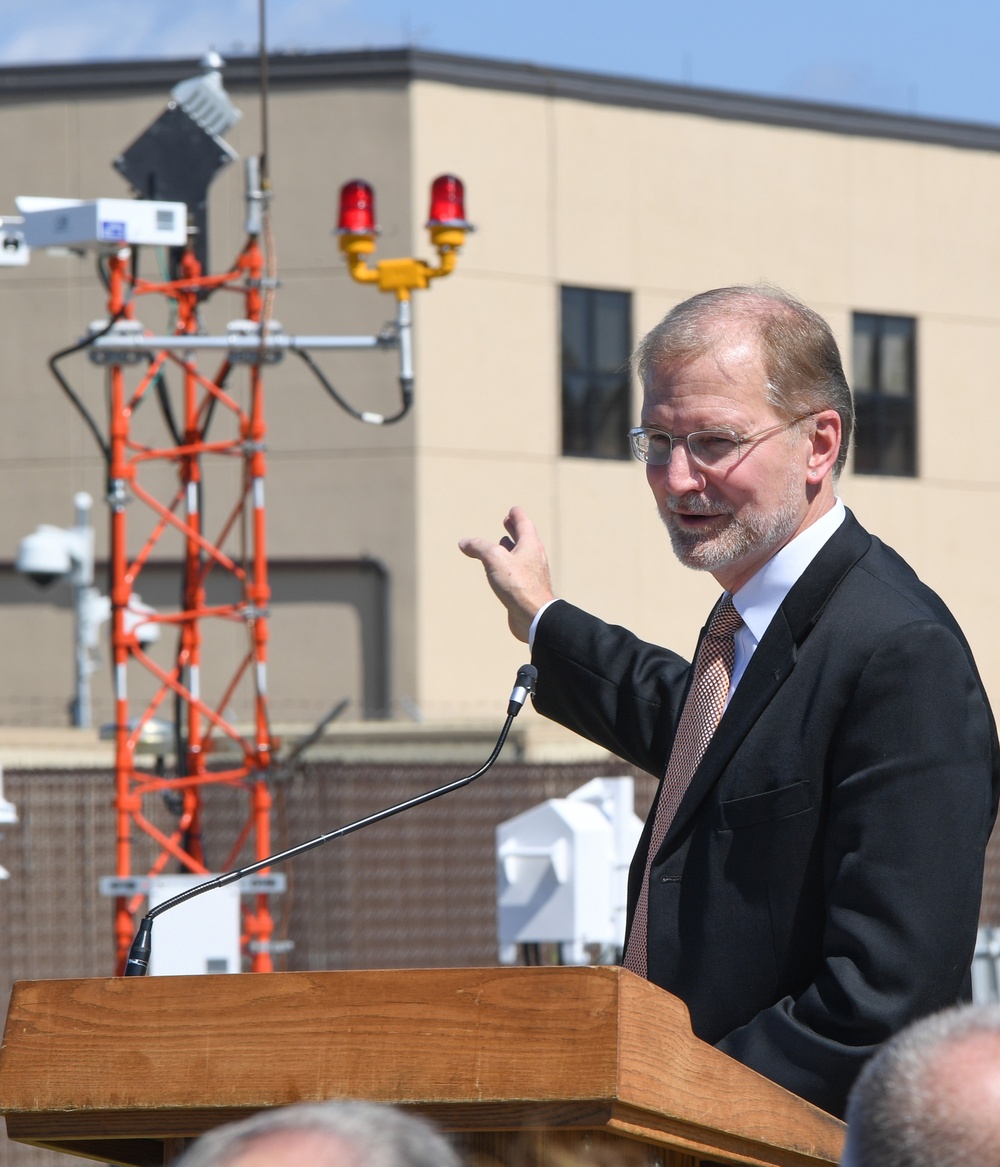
x=128, y=1071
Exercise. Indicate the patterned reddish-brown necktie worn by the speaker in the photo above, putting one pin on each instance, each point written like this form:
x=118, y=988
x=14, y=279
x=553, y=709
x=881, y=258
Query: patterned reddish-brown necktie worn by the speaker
x=700, y=718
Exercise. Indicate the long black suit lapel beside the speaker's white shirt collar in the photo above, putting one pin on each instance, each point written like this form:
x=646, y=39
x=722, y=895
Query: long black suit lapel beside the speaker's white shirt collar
x=774, y=661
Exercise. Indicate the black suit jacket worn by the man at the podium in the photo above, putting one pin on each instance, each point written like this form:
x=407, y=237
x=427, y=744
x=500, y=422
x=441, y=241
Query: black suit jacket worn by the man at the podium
x=821, y=884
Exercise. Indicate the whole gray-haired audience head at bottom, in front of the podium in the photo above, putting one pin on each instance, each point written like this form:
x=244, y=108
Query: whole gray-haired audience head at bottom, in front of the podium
x=324, y=1135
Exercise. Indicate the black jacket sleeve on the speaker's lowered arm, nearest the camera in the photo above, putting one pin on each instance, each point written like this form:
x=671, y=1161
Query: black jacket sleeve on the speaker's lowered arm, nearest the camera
x=911, y=809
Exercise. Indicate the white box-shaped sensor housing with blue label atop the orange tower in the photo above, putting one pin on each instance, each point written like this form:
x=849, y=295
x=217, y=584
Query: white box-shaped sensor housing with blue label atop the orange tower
x=102, y=222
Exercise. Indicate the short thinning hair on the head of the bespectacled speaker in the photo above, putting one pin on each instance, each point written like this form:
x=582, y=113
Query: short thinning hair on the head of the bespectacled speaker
x=800, y=354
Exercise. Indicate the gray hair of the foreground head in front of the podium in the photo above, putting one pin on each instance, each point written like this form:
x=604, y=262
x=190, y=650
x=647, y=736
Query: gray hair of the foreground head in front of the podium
x=377, y=1136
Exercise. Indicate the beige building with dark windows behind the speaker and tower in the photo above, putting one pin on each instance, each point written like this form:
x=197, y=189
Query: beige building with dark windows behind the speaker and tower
x=600, y=202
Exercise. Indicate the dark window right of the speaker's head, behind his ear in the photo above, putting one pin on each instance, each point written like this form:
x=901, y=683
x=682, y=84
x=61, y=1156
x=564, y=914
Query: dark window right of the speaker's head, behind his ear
x=885, y=395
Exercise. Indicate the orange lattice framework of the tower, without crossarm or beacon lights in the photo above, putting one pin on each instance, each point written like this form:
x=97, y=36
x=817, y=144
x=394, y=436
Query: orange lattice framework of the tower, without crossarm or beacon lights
x=202, y=719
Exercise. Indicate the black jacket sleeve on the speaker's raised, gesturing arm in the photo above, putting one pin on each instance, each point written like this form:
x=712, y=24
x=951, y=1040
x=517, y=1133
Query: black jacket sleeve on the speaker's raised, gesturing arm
x=607, y=686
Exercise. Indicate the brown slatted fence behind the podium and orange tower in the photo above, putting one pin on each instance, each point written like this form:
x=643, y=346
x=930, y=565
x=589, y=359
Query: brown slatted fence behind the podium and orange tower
x=417, y=891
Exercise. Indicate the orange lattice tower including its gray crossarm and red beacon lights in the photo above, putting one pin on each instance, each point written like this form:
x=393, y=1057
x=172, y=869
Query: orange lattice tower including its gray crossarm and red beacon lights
x=250, y=345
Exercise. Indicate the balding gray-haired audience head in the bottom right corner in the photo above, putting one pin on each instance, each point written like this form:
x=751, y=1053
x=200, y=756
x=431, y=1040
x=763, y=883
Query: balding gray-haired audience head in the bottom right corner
x=931, y=1098
